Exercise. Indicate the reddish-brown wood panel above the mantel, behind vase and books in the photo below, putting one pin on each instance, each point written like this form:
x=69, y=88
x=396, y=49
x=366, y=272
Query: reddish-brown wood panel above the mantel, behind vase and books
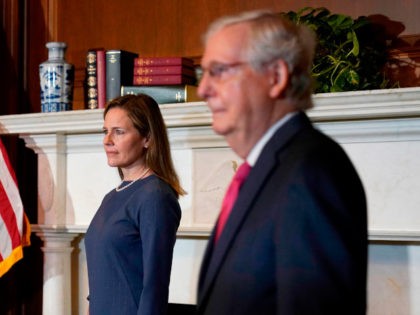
x=159, y=27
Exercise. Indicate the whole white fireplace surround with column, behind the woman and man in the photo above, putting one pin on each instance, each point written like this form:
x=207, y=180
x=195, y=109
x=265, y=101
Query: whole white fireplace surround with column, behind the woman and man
x=379, y=129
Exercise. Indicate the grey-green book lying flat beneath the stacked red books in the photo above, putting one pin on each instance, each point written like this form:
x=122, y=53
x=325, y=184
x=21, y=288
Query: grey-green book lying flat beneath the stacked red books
x=164, y=94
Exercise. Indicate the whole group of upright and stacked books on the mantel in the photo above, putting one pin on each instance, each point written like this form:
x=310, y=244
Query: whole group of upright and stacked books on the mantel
x=111, y=73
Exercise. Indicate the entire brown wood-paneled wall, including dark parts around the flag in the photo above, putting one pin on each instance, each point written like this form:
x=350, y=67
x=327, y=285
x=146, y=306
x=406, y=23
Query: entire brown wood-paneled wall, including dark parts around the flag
x=152, y=28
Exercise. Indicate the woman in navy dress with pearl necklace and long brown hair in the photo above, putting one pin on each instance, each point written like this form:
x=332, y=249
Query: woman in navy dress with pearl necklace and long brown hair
x=130, y=241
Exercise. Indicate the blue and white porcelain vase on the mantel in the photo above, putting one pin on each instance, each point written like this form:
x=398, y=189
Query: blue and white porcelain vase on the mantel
x=56, y=77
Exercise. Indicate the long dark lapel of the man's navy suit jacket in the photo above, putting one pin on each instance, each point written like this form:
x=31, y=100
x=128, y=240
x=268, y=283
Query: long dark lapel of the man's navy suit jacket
x=267, y=161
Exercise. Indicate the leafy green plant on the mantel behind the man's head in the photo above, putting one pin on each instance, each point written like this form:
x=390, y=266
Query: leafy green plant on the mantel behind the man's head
x=351, y=53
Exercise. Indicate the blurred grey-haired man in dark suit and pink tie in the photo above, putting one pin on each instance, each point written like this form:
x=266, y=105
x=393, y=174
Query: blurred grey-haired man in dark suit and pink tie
x=295, y=241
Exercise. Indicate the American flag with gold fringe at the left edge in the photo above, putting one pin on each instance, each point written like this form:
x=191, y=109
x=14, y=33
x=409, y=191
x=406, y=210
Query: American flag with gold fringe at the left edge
x=14, y=225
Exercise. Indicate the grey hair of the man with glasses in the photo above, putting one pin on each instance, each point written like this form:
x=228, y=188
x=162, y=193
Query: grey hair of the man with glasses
x=274, y=37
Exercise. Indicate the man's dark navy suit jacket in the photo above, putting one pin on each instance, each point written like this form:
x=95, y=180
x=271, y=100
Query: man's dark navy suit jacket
x=296, y=240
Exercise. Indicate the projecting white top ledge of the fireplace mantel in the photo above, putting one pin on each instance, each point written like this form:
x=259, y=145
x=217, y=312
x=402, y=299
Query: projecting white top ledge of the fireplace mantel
x=373, y=104
